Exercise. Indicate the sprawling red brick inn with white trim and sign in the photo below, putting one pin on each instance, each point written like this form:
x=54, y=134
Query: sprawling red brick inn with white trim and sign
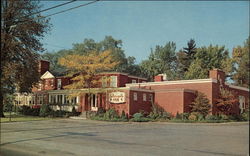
x=131, y=94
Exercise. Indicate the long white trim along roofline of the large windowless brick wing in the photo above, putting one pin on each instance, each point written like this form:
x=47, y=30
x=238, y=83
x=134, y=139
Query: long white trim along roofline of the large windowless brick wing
x=172, y=82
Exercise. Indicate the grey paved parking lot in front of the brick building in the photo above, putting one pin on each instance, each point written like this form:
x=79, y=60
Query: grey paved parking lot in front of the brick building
x=84, y=137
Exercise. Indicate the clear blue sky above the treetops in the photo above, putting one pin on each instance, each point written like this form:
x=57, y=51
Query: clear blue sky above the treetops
x=141, y=25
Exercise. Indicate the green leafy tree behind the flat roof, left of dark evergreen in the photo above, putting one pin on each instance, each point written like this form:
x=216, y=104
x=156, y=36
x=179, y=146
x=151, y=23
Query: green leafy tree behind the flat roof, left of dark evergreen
x=161, y=60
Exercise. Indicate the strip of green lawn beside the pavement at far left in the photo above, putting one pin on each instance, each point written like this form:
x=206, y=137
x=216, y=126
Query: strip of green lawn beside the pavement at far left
x=17, y=118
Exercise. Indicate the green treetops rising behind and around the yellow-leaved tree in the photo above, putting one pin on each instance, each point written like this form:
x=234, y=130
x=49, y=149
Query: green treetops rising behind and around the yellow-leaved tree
x=126, y=64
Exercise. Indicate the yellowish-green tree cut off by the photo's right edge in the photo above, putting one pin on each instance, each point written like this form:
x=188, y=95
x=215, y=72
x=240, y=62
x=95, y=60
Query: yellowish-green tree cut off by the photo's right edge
x=241, y=64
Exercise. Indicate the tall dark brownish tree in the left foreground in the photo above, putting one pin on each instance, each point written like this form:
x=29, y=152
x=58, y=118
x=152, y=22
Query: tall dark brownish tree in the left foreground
x=21, y=31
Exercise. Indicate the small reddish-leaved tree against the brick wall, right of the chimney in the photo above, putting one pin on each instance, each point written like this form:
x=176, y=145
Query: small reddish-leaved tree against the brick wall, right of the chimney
x=225, y=101
